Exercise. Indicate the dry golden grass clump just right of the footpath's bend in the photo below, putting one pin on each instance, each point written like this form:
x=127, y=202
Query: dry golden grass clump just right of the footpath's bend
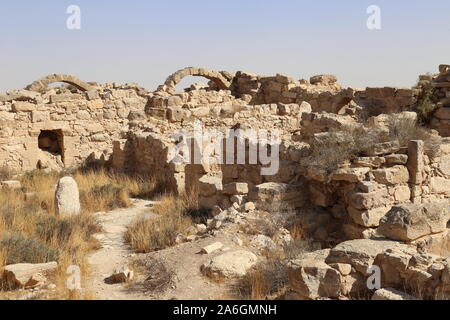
x=157, y=233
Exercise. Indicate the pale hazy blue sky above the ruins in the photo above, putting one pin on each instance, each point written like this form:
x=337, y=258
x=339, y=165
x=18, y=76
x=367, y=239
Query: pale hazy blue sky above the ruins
x=145, y=41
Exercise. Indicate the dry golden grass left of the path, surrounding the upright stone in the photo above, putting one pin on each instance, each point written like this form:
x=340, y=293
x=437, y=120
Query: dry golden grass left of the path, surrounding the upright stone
x=31, y=231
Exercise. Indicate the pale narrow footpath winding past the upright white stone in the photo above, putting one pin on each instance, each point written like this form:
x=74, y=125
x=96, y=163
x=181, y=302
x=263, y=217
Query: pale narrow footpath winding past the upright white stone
x=115, y=252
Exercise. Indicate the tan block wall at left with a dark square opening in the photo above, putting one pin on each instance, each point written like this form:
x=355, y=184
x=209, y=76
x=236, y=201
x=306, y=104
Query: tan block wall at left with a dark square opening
x=86, y=123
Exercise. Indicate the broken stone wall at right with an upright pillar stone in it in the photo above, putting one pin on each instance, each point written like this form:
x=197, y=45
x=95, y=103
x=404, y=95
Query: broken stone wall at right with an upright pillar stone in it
x=361, y=192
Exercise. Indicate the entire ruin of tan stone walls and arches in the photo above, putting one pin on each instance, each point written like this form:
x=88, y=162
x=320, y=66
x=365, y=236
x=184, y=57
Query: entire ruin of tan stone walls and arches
x=387, y=204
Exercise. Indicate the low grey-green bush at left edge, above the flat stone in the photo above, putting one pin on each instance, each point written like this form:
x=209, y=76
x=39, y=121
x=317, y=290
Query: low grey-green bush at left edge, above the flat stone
x=20, y=249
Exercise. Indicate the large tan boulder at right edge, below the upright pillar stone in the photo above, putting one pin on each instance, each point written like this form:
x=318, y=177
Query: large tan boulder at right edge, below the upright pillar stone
x=411, y=221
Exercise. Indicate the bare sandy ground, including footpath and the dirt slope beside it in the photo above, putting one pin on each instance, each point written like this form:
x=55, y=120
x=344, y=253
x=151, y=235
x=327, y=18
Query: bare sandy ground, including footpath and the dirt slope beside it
x=183, y=261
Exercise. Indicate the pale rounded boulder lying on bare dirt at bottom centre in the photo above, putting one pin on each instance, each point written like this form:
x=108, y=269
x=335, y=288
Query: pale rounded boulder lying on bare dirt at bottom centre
x=229, y=265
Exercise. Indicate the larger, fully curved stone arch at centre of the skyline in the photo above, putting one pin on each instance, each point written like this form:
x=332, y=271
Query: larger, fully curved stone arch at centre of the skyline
x=218, y=78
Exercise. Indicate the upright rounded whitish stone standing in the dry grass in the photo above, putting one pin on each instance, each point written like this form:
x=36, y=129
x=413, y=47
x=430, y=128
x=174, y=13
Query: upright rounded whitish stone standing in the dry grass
x=67, y=197
